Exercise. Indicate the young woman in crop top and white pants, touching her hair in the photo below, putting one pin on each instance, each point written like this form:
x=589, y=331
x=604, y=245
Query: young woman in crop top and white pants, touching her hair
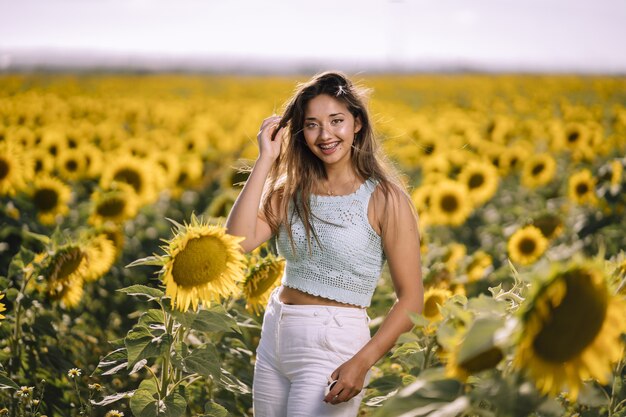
x=321, y=188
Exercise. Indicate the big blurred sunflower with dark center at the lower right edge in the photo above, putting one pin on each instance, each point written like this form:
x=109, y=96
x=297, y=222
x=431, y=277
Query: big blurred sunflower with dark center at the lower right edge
x=562, y=344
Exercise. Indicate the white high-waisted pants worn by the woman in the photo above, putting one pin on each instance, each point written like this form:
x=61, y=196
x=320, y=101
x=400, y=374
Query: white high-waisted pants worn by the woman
x=300, y=346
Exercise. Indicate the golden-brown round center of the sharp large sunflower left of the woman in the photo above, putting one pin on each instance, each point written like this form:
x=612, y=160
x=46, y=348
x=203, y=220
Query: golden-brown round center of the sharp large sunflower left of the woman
x=202, y=260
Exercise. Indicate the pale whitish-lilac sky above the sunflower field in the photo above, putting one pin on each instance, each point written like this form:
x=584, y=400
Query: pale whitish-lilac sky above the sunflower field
x=570, y=35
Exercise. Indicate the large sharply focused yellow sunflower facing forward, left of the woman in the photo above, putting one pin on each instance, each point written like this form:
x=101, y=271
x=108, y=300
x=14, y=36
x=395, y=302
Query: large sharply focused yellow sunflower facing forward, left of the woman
x=202, y=263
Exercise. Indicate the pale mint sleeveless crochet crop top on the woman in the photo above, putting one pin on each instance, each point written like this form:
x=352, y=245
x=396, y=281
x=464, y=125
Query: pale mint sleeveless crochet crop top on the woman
x=348, y=264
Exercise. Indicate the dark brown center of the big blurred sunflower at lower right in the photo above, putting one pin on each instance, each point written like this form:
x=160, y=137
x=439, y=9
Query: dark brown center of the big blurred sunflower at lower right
x=569, y=329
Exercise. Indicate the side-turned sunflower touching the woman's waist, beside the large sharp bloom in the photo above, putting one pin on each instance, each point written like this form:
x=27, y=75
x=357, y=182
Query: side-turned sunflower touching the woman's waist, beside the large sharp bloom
x=260, y=280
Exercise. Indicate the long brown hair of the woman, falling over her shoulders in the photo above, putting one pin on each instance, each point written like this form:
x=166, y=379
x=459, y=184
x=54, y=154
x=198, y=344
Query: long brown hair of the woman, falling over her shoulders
x=296, y=171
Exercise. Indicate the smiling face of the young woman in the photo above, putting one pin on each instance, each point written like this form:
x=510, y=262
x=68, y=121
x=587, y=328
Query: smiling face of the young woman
x=329, y=129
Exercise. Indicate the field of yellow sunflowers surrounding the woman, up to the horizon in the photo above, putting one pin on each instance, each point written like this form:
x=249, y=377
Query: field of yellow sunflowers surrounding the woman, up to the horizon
x=122, y=295
